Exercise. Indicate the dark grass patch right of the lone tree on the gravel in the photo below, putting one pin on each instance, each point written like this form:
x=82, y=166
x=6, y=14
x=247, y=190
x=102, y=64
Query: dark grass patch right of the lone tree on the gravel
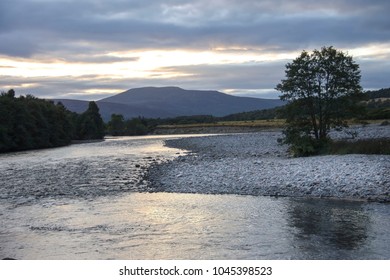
x=380, y=146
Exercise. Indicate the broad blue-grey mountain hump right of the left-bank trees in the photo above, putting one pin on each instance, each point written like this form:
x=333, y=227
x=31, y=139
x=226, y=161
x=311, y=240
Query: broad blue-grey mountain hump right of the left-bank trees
x=174, y=101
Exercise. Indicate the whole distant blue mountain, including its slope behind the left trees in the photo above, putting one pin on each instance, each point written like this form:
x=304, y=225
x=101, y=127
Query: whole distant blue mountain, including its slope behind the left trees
x=164, y=102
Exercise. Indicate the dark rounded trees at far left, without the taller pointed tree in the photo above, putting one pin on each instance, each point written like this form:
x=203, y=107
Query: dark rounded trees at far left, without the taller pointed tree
x=27, y=122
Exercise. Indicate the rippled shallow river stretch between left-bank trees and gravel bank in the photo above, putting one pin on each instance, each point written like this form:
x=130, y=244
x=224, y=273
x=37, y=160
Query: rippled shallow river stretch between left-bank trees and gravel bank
x=85, y=170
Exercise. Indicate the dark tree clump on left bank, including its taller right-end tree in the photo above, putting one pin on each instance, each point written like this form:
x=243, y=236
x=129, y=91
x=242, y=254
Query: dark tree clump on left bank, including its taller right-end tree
x=27, y=122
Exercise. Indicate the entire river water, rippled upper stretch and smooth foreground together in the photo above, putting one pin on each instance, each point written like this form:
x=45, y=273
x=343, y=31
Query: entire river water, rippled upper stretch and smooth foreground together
x=89, y=201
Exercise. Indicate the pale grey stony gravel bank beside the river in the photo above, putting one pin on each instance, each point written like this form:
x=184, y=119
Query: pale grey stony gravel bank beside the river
x=254, y=164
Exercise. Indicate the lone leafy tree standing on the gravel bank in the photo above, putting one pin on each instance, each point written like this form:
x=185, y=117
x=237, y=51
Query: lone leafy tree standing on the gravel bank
x=322, y=89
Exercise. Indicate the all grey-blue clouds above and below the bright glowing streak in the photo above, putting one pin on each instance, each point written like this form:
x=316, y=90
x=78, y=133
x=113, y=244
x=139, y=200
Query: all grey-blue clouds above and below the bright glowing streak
x=87, y=31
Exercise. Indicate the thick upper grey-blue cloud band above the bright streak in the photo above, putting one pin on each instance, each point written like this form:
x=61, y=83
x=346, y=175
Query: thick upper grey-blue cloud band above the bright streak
x=196, y=24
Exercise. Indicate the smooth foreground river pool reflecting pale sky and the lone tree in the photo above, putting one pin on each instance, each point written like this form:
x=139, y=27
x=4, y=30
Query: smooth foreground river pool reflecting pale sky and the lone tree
x=195, y=226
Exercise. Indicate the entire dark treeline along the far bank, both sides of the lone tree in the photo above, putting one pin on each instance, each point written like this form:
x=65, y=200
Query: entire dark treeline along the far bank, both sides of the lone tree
x=27, y=122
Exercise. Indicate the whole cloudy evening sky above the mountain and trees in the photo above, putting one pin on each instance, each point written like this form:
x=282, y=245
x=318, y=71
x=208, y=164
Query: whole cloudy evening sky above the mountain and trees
x=91, y=49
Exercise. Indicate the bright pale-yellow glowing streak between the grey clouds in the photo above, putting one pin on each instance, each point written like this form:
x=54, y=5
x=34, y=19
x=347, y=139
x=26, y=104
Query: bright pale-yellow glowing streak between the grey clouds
x=147, y=65
